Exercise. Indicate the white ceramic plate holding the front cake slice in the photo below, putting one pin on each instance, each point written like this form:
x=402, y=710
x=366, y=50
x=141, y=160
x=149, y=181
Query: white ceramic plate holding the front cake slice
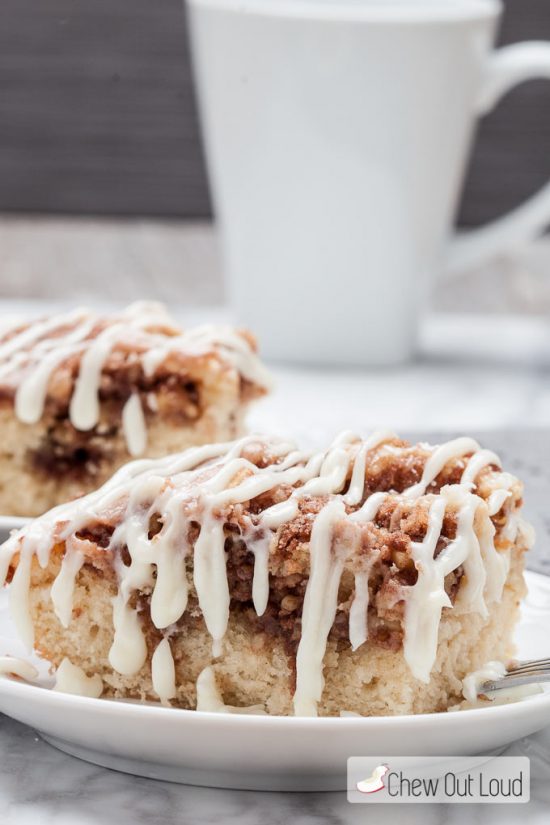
x=262, y=752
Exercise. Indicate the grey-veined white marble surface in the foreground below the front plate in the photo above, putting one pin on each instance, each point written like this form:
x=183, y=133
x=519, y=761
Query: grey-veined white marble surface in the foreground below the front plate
x=41, y=786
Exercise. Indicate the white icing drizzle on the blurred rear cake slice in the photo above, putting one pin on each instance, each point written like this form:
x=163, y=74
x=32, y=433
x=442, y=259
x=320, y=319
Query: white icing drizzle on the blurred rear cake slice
x=40, y=348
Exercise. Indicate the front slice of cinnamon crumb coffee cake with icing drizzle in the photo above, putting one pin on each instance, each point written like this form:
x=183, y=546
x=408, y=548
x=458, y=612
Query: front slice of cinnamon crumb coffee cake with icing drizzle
x=370, y=577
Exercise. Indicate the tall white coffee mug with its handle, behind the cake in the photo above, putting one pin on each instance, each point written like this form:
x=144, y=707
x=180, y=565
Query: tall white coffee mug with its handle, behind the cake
x=337, y=134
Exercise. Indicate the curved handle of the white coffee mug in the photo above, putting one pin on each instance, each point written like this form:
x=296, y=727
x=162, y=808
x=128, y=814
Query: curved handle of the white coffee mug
x=507, y=67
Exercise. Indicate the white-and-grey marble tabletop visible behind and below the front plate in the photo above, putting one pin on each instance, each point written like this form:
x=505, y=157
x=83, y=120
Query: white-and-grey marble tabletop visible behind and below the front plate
x=500, y=385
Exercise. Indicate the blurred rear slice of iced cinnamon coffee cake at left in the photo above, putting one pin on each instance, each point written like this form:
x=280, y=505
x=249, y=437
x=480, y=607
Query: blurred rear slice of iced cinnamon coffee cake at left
x=81, y=393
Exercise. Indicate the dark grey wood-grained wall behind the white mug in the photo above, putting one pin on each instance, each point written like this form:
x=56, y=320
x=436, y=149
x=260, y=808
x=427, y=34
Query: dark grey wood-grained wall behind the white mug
x=97, y=113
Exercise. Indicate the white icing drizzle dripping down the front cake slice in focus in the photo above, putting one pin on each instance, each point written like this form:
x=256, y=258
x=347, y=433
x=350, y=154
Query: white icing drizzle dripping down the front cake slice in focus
x=195, y=486
